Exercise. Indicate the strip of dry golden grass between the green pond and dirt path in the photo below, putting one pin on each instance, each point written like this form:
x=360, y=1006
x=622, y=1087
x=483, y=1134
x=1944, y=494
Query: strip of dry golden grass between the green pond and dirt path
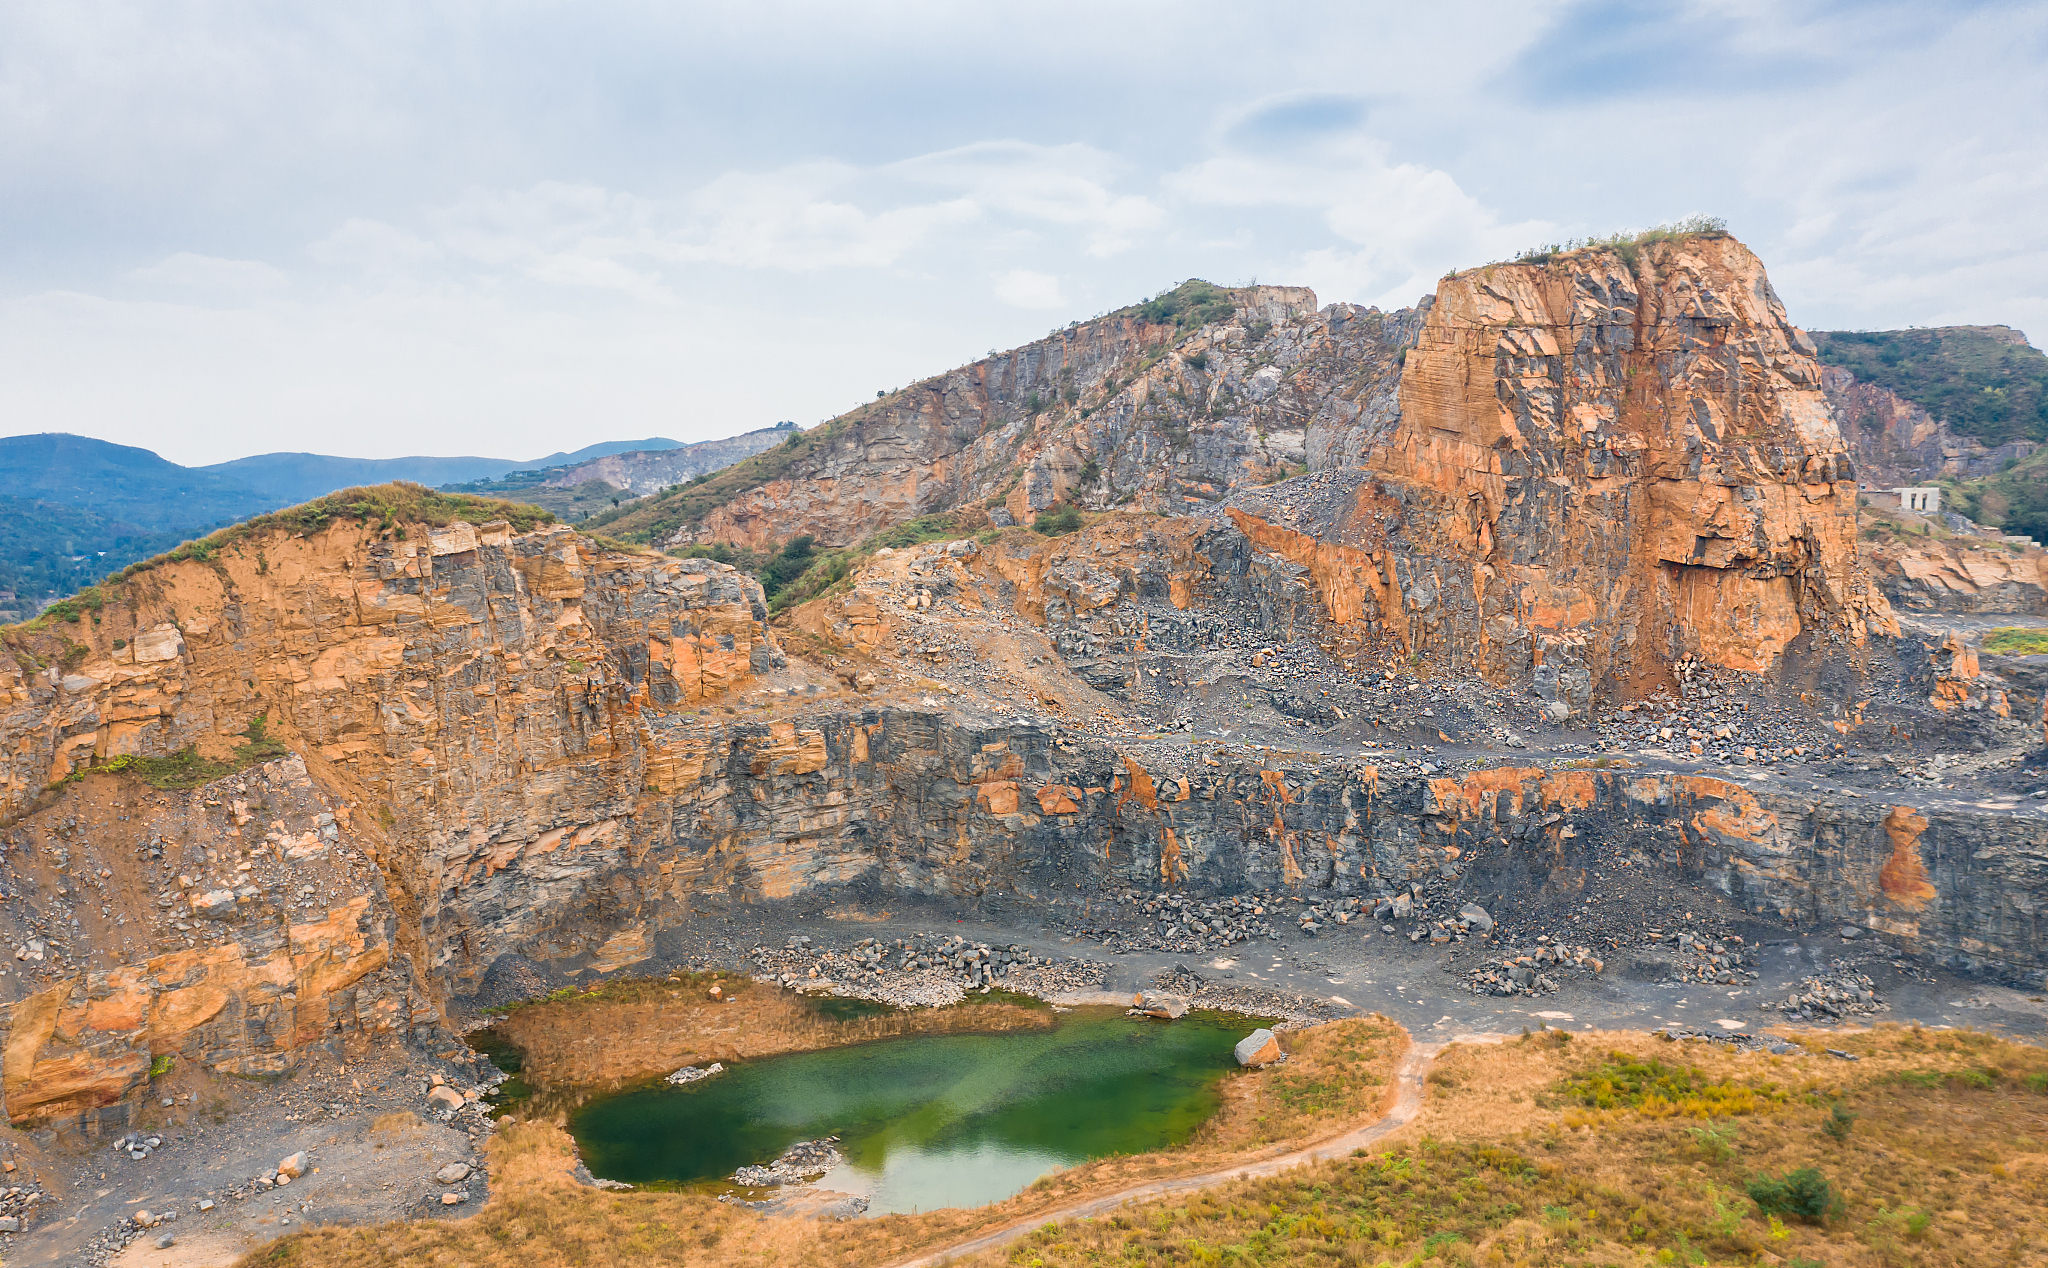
x=540, y=1216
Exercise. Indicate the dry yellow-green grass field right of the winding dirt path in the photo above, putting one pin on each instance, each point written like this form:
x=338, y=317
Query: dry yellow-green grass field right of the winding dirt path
x=1943, y=1165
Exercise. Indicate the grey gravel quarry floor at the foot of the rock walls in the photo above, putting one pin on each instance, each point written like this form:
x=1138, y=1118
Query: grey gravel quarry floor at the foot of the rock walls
x=368, y=1175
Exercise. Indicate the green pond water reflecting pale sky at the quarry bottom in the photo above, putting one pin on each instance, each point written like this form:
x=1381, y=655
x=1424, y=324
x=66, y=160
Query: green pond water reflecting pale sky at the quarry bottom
x=937, y=1119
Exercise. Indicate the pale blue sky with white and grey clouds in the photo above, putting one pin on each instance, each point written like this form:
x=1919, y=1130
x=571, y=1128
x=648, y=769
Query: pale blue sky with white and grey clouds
x=509, y=228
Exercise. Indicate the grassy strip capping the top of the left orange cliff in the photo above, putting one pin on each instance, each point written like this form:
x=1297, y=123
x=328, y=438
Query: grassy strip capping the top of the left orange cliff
x=386, y=505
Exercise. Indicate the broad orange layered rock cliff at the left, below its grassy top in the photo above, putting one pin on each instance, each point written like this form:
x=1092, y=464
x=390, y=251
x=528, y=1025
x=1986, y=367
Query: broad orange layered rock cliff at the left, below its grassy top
x=456, y=693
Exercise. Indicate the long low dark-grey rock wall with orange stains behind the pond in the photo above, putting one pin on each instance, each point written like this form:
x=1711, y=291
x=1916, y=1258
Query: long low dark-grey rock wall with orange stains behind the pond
x=919, y=802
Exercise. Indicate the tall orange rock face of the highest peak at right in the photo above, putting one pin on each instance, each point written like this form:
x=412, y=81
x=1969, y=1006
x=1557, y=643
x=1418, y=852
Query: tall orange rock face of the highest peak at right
x=1598, y=470
